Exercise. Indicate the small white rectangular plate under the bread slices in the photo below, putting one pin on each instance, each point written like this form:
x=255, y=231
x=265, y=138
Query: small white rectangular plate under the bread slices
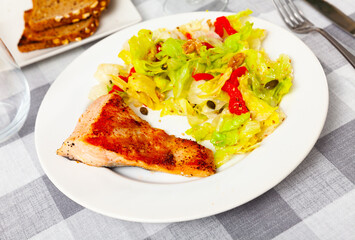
x=120, y=14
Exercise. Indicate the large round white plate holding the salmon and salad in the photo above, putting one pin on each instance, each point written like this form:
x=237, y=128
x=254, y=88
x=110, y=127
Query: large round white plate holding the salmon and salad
x=139, y=195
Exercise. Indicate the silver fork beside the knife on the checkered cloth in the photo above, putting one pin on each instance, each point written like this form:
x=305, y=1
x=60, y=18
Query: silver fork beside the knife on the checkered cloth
x=296, y=21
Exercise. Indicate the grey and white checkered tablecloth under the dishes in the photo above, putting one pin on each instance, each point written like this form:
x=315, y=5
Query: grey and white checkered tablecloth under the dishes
x=316, y=201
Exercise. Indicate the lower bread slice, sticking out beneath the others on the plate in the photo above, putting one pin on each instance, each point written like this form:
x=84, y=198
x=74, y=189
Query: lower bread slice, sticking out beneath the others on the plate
x=32, y=40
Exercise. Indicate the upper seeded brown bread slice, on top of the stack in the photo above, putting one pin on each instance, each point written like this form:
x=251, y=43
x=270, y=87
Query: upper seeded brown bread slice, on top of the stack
x=48, y=14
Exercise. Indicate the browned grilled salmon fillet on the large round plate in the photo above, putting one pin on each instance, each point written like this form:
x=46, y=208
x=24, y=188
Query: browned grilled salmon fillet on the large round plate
x=110, y=134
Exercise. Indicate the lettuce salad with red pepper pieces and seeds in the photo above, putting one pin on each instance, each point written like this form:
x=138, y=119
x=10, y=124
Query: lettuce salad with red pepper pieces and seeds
x=213, y=72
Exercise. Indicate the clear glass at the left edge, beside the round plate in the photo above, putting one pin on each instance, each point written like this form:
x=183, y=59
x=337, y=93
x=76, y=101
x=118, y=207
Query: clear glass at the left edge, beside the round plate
x=14, y=95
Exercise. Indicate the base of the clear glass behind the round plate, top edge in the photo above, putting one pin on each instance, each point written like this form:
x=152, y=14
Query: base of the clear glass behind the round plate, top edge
x=180, y=6
